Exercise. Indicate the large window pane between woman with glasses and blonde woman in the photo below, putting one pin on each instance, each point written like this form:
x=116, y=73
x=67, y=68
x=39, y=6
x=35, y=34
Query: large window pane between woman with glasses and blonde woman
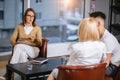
x=55, y=16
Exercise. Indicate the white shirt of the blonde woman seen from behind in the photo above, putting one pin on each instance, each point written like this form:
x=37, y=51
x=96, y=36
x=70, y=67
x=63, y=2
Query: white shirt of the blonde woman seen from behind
x=87, y=53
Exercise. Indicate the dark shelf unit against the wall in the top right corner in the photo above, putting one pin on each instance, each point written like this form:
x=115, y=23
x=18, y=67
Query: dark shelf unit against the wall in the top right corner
x=114, y=7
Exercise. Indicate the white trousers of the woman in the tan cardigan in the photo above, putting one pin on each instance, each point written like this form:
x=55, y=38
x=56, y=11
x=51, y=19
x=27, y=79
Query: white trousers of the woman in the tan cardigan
x=21, y=53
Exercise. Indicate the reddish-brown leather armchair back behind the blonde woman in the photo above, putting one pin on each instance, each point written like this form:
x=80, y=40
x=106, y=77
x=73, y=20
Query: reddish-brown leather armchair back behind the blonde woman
x=91, y=72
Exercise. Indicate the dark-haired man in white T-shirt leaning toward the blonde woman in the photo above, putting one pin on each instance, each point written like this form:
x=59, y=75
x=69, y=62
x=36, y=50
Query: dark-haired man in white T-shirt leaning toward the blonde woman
x=112, y=44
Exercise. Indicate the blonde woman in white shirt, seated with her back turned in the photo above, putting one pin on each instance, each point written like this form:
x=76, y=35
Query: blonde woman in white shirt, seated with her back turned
x=89, y=50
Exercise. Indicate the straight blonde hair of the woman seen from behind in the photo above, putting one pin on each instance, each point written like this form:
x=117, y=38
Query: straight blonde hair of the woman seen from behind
x=88, y=30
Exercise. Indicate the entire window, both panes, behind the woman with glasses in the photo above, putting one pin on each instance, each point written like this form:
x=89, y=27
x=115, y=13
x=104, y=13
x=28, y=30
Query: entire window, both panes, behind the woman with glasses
x=50, y=15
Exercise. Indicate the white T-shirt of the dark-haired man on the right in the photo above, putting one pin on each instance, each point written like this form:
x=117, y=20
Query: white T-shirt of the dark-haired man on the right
x=112, y=46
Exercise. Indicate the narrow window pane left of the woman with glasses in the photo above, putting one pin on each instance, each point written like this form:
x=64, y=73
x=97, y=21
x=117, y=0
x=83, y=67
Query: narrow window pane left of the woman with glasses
x=10, y=16
